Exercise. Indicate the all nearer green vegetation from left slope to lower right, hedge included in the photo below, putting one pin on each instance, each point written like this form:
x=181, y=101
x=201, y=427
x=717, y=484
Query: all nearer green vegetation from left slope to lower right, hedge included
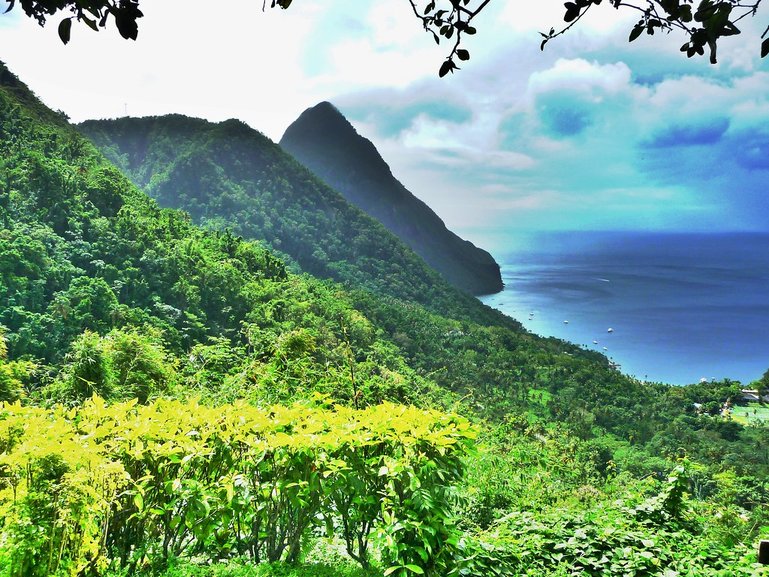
x=178, y=402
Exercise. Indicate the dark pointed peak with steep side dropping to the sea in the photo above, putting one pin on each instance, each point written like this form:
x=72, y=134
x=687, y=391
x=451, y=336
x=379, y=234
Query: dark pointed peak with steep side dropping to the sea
x=324, y=141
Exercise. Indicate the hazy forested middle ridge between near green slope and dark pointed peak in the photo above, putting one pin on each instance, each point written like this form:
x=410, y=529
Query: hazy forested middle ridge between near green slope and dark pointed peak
x=229, y=175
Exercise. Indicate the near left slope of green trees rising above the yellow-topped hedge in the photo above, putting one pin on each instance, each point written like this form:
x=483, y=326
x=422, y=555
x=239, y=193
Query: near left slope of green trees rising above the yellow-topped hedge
x=96, y=280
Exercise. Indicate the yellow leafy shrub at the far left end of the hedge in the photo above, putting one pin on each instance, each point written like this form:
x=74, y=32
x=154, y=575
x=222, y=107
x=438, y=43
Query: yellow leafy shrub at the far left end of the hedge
x=58, y=490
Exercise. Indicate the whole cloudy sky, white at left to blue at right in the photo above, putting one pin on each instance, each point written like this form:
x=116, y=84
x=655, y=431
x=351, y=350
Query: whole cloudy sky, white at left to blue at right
x=592, y=133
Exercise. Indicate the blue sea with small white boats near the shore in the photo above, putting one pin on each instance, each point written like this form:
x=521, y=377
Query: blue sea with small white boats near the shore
x=682, y=306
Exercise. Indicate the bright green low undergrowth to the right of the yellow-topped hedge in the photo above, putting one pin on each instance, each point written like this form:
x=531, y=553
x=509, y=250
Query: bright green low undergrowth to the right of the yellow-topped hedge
x=544, y=506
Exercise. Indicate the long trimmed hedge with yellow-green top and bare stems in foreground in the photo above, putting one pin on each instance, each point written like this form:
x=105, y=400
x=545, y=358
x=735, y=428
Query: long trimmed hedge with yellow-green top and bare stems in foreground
x=120, y=484
